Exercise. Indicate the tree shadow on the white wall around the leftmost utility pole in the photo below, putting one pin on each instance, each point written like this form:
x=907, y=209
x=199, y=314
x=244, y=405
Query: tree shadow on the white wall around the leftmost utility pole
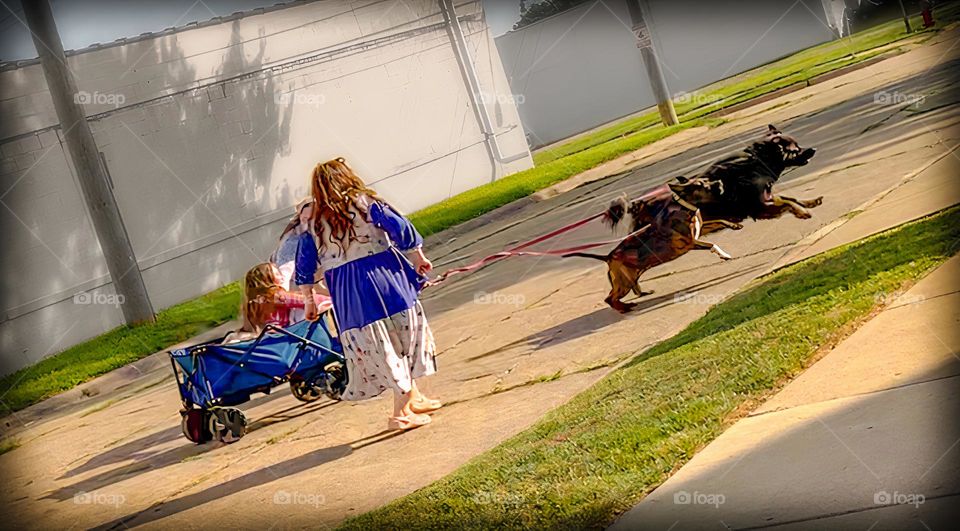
x=193, y=174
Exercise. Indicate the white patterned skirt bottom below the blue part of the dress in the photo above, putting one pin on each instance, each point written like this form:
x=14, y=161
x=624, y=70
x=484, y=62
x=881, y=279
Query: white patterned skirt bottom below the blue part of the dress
x=388, y=354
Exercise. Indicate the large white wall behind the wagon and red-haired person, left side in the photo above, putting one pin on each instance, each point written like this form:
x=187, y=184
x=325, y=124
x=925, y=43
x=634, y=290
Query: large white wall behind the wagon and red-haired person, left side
x=209, y=133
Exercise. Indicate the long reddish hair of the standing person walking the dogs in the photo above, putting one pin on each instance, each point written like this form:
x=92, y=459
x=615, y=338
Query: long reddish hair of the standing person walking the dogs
x=335, y=188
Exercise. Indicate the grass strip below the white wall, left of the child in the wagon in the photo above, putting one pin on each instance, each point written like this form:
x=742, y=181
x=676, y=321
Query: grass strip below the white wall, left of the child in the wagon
x=117, y=348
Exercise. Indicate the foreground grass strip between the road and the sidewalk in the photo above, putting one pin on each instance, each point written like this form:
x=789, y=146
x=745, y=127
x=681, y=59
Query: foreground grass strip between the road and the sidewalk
x=597, y=455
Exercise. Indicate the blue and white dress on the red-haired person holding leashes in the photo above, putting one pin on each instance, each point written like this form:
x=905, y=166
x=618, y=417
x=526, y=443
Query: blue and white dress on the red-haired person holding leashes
x=386, y=339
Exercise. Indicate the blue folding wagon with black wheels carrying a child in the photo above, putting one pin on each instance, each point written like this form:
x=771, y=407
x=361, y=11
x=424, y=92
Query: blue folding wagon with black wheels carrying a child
x=214, y=377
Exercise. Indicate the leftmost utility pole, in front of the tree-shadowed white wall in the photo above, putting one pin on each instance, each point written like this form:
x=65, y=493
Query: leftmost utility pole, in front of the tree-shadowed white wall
x=114, y=242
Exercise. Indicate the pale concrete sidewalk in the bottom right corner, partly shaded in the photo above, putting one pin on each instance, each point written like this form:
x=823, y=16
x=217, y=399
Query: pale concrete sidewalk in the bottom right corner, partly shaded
x=867, y=438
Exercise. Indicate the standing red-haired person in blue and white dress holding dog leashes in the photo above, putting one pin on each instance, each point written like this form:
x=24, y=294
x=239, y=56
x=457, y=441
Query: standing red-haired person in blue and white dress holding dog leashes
x=374, y=269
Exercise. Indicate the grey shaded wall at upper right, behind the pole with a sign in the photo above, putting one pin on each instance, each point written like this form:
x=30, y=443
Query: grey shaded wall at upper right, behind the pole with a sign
x=581, y=68
